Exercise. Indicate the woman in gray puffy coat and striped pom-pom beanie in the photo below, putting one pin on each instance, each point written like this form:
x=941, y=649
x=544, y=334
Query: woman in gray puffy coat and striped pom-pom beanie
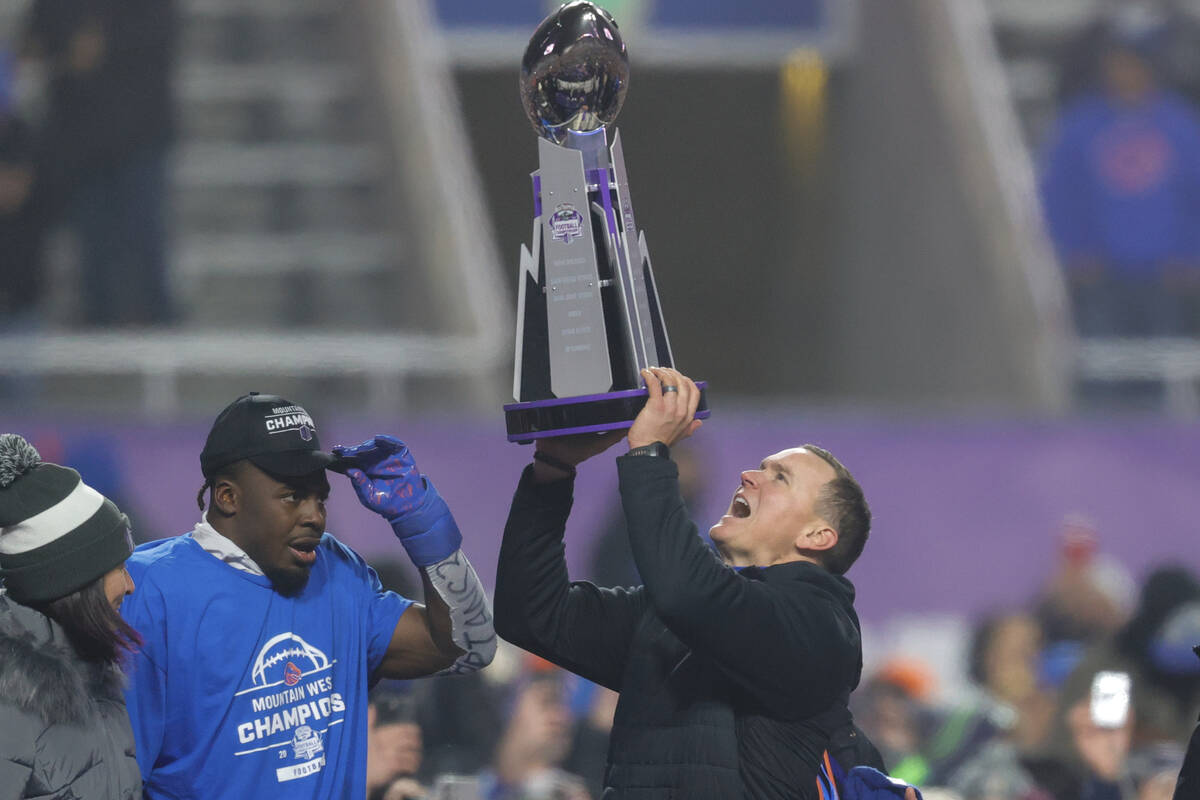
x=64, y=731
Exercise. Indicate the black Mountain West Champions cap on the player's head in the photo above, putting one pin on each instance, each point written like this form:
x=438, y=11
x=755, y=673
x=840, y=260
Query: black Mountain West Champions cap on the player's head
x=275, y=435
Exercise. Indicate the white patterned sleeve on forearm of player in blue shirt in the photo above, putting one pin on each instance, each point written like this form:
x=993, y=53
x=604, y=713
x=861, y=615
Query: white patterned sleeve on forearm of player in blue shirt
x=471, y=616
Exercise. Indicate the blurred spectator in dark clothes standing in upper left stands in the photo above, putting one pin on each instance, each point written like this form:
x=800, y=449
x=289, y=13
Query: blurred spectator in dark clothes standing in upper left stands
x=106, y=143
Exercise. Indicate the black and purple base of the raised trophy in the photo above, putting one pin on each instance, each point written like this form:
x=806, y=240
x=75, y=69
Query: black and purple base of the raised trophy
x=562, y=417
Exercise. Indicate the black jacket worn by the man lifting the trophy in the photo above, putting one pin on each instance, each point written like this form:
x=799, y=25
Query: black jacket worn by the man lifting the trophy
x=731, y=683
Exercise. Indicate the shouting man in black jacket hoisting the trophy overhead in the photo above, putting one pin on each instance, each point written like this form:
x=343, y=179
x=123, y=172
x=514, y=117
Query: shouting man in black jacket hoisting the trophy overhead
x=734, y=677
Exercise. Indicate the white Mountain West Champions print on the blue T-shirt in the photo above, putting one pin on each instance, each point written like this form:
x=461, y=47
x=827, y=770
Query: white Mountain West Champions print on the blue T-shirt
x=290, y=707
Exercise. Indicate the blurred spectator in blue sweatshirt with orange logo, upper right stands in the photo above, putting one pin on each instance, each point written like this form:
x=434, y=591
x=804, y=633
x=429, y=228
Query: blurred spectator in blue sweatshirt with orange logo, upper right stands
x=1123, y=197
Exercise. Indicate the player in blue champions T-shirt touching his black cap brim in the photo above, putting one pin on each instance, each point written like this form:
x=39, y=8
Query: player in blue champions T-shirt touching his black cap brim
x=262, y=633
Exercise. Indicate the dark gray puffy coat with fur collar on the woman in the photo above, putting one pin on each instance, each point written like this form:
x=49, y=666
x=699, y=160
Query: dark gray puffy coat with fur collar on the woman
x=64, y=731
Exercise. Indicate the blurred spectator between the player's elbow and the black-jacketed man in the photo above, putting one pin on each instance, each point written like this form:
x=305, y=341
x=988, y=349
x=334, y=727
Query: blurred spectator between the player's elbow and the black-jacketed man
x=529, y=759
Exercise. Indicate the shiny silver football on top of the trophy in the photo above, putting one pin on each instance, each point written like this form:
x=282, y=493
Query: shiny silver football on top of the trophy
x=575, y=71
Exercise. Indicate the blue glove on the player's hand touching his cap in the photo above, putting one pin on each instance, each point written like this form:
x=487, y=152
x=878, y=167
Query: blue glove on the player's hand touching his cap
x=387, y=482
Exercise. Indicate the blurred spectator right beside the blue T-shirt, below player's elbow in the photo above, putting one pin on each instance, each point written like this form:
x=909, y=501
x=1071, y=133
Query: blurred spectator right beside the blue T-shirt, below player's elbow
x=394, y=747
